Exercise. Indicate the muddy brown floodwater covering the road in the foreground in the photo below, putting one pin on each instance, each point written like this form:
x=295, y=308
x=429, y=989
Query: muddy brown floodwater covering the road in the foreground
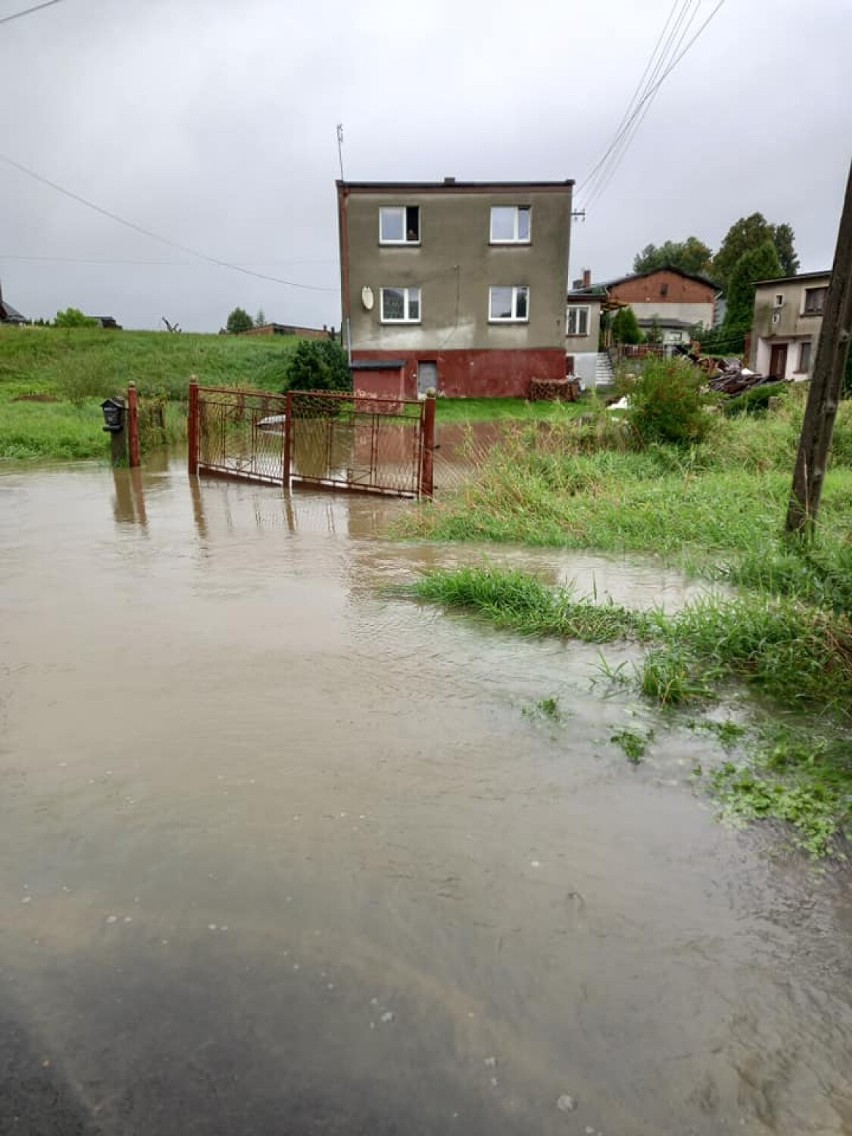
x=281, y=854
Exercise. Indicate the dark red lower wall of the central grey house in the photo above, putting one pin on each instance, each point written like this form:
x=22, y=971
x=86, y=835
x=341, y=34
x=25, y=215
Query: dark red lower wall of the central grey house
x=466, y=374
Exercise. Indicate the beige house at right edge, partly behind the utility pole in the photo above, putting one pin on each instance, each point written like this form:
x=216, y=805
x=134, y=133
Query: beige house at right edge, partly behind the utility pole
x=788, y=322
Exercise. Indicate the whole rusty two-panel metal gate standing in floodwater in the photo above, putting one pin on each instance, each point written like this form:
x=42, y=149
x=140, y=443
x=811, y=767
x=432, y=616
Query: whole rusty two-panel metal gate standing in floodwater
x=315, y=439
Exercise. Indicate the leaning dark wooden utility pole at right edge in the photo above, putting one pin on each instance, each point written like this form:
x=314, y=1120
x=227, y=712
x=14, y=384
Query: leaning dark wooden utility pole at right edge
x=826, y=386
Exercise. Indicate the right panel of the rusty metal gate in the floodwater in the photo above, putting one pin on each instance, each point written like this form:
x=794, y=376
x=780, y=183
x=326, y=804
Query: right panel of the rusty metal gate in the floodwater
x=373, y=445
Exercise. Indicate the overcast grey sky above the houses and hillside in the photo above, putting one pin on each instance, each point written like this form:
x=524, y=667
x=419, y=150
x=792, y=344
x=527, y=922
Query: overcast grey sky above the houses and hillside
x=213, y=124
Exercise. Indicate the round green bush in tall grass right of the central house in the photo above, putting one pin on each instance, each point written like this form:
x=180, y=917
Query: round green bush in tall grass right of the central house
x=667, y=404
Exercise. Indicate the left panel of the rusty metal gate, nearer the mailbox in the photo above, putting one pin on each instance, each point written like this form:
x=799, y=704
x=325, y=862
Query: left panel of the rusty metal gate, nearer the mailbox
x=241, y=435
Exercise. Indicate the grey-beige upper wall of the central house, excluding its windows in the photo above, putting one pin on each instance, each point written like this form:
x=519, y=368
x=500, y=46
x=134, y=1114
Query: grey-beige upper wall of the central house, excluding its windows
x=454, y=266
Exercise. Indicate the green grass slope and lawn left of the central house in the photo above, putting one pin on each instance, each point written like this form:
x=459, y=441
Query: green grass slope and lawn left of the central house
x=80, y=367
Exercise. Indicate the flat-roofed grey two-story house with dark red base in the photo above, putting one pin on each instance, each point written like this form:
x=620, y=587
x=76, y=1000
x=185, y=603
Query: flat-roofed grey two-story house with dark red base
x=455, y=286
